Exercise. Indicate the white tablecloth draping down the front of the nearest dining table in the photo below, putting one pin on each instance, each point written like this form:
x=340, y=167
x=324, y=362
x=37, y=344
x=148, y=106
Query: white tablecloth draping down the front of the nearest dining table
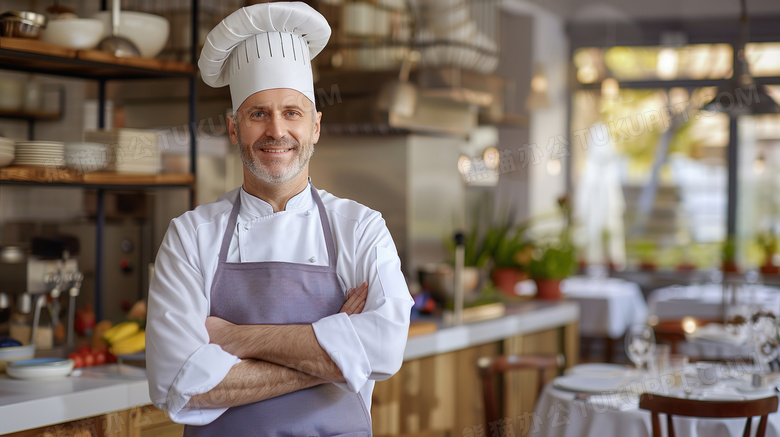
x=558, y=414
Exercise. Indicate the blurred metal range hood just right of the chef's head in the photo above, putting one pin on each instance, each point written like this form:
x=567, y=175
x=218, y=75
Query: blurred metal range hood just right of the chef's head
x=446, y=101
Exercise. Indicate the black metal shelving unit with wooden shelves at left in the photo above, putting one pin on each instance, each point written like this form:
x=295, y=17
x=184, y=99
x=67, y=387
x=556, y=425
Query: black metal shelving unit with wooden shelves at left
x=39, y=57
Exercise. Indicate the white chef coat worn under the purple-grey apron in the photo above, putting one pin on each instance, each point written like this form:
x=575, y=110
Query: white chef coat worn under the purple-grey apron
x=367, y=347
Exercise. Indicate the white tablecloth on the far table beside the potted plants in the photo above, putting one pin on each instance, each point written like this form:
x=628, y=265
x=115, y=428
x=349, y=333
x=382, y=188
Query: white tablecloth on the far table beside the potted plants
x=608, y=306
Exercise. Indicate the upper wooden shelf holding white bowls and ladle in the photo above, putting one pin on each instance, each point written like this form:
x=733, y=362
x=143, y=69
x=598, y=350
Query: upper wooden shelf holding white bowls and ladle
x=38, y=56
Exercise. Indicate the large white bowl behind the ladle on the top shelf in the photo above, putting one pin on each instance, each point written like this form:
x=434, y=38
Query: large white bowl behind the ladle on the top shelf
x=148, y=32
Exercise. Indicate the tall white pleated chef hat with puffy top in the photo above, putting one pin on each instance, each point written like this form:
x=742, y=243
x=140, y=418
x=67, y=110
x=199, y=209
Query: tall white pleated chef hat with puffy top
x=264, y=46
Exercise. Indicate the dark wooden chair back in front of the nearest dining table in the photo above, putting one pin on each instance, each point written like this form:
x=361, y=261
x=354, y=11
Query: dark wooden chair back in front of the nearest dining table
x=707, y=409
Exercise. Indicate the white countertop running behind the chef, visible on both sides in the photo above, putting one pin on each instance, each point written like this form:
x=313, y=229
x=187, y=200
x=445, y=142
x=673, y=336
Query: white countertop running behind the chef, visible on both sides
x=33, y=404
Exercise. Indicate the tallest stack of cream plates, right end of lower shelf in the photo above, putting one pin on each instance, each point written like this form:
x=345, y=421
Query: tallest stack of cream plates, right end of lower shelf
x=134, y=150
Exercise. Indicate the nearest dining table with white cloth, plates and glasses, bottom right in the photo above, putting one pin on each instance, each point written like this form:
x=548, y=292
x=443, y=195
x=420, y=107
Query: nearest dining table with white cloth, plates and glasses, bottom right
x=602, y=400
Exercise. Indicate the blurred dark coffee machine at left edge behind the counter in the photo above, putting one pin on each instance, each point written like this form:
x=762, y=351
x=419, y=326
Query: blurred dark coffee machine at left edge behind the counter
x=37, y=278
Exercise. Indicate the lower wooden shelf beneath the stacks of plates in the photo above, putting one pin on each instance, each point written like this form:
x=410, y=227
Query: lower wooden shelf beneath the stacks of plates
x=62, y=176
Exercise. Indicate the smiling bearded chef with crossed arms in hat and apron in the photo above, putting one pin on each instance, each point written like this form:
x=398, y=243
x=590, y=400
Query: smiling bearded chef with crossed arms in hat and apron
x=274, y=309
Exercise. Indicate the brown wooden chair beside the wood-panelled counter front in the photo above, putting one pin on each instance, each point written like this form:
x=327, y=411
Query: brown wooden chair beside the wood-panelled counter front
x=490, y=366
